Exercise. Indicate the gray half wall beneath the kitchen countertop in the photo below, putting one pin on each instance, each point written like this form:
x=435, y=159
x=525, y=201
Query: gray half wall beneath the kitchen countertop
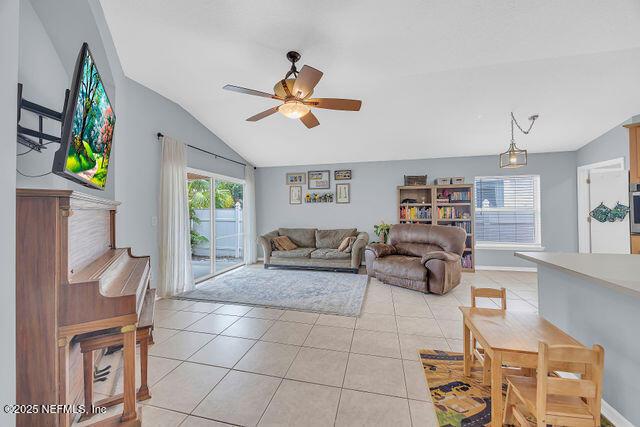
x=594, y=313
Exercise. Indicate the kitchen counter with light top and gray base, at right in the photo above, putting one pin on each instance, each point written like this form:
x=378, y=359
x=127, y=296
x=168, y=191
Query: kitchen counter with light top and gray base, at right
x=595, y=298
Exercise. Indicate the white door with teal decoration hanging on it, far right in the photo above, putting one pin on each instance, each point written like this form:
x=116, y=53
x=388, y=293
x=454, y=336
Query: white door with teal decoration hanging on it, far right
x=608, y=183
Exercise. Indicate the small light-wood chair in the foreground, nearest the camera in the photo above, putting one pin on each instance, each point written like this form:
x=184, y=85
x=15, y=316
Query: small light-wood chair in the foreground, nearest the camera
x=554, y=400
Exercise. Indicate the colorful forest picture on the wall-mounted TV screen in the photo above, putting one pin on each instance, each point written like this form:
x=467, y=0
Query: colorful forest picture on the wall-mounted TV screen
x=92, y=132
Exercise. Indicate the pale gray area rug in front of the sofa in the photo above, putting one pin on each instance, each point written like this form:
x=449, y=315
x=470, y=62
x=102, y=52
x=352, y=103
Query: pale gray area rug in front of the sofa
x=319, y=291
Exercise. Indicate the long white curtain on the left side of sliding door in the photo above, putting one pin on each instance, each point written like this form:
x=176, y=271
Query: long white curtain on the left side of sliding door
x=175, y=242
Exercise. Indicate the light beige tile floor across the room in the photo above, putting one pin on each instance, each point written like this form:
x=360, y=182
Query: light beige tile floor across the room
x=215, y=364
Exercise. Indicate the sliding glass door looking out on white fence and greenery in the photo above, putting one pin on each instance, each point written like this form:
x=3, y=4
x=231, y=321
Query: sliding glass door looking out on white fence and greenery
x=216, y=223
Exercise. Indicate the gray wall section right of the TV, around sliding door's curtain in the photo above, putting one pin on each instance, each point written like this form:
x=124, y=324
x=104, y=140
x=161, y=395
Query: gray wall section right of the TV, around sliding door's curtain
x=137, y=155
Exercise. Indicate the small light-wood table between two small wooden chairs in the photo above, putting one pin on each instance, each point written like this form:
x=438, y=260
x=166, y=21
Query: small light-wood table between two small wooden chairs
x=508, y=338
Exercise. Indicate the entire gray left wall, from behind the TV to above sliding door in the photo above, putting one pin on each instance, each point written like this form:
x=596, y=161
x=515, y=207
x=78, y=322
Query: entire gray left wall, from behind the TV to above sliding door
x=51, y=35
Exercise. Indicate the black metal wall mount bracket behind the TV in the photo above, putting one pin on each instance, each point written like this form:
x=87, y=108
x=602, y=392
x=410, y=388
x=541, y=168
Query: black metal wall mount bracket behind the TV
x=25, y=135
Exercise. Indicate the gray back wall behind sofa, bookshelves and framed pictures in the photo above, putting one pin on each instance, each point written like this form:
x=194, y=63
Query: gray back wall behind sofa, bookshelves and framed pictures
x=374, y=197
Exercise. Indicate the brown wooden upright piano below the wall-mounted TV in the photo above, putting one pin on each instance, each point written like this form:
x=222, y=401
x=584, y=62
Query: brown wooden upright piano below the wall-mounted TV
x=71, y=280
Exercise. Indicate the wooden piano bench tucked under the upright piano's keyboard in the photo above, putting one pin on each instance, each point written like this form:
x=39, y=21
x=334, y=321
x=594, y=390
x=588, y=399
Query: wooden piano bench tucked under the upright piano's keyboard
x=109, y=338
